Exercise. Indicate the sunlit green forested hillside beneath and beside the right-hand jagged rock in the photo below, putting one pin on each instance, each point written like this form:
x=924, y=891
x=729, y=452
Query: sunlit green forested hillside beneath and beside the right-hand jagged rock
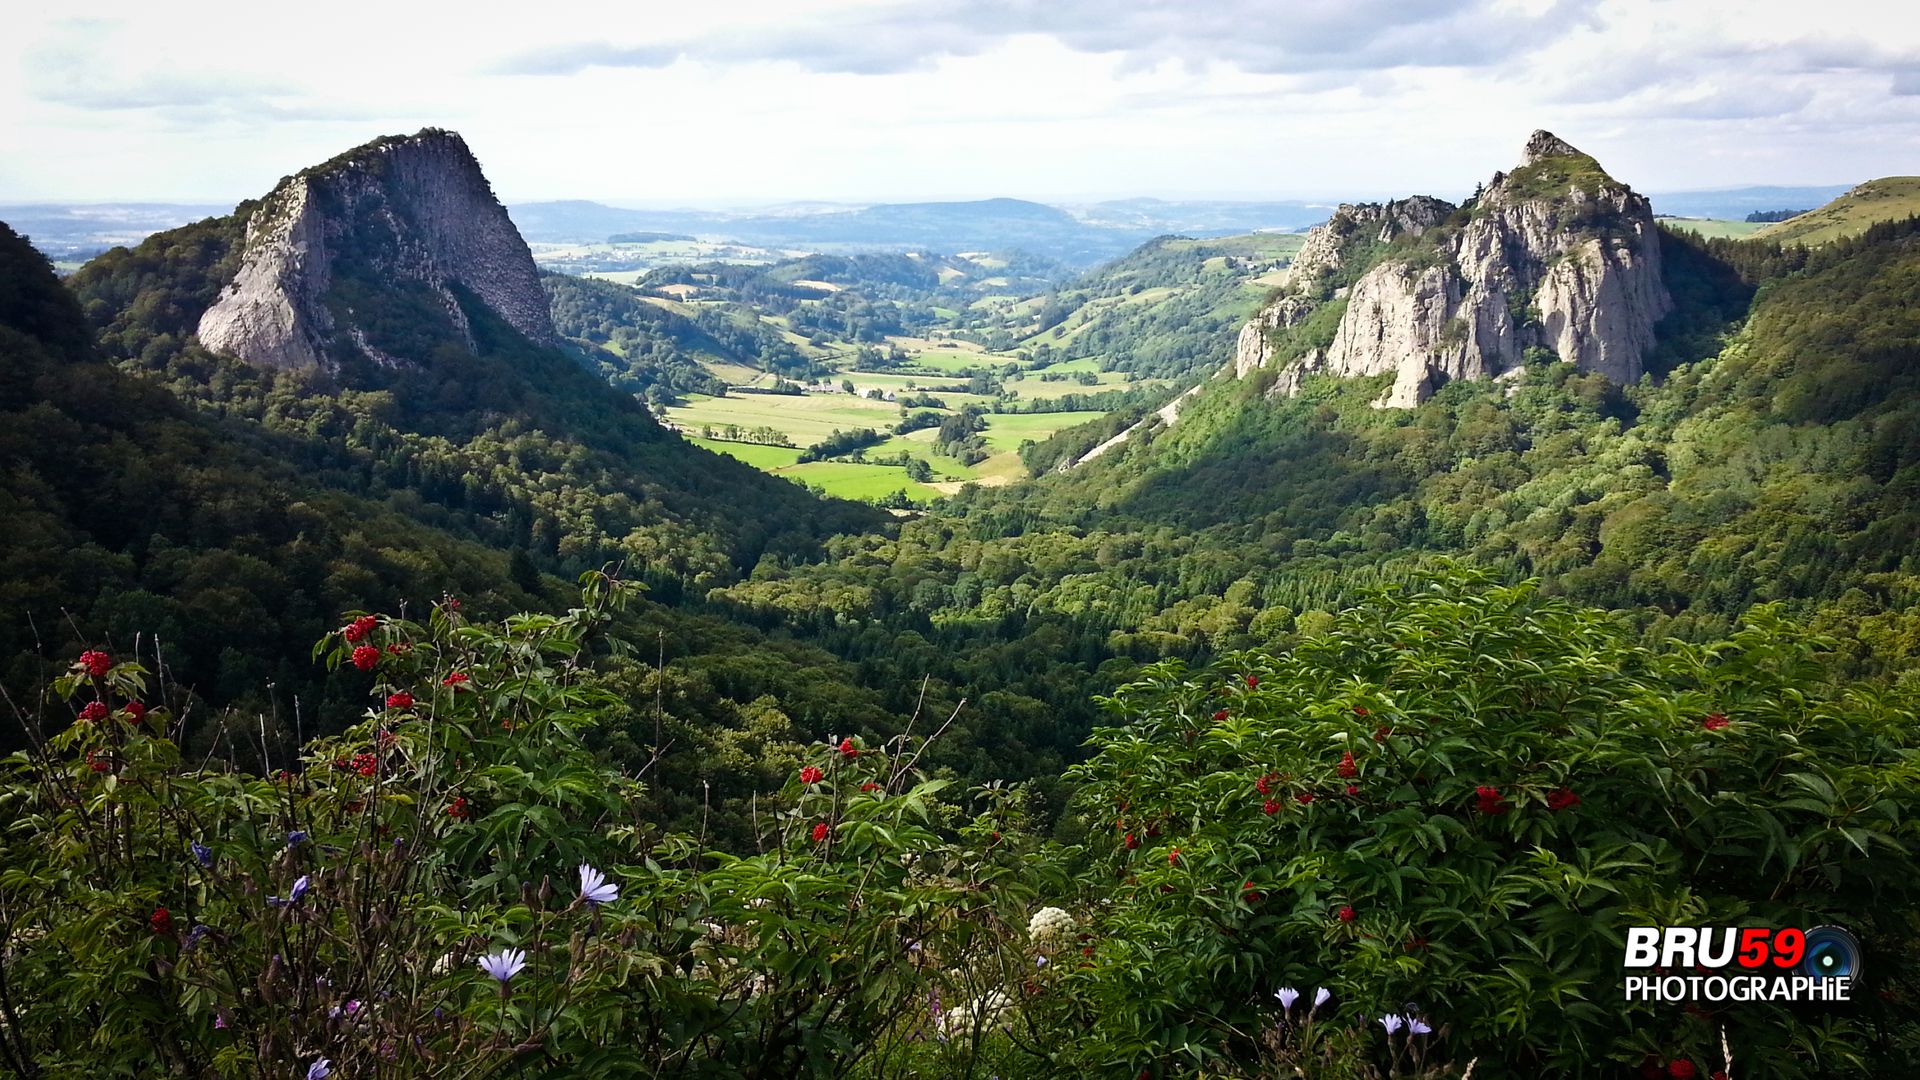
x=1771, y=460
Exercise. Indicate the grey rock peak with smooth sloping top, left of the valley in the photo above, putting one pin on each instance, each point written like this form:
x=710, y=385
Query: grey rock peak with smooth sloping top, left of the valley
x=402, y=214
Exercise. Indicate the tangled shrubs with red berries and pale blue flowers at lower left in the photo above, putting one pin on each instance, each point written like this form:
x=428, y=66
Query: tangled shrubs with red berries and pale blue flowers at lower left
x=458, y=889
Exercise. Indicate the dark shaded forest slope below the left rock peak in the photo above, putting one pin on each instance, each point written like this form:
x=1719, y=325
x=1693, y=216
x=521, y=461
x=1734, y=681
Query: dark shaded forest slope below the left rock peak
x=228, y=516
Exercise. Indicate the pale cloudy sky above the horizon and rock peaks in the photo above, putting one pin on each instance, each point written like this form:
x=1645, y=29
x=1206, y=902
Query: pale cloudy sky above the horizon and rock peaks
x=746, y=101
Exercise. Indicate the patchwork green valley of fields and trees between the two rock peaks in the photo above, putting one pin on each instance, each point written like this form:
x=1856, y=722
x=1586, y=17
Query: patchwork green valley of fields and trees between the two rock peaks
x=744, y=358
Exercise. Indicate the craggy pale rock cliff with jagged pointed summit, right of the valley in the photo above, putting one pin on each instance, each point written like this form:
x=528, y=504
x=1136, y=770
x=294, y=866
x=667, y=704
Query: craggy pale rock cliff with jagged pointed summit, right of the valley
x=1552, y=257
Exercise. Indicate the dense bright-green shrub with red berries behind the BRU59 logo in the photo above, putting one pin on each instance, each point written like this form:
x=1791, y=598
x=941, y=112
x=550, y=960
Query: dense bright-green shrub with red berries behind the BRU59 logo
x=1456, y=802
